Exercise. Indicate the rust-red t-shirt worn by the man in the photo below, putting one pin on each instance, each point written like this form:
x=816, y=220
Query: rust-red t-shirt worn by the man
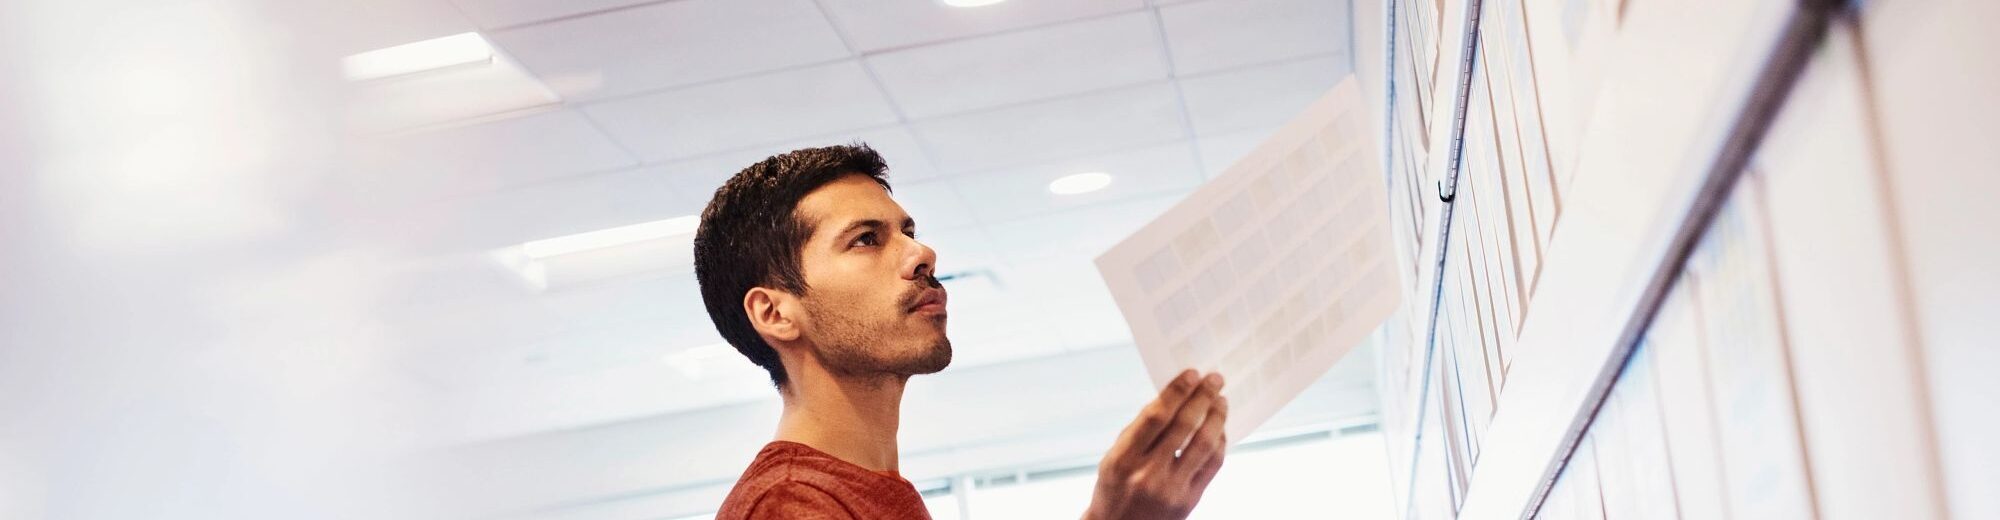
x=795, y=481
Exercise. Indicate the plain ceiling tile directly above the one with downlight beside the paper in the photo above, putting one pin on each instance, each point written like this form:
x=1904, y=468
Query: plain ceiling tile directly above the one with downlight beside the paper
x=1055, y=129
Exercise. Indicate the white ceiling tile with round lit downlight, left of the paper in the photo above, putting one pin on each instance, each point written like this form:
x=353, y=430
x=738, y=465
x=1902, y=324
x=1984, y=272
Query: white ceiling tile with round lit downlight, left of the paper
x=1019, y=193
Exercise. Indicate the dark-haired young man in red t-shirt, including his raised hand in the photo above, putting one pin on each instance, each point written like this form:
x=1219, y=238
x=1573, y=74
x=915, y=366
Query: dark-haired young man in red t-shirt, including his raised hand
x=815, y=273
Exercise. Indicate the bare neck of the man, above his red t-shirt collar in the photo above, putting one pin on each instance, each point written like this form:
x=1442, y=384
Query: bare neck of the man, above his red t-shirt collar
x=847, y=419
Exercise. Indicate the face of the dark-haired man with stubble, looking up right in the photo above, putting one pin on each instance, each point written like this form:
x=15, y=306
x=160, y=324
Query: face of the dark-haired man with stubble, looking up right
x=871, y=299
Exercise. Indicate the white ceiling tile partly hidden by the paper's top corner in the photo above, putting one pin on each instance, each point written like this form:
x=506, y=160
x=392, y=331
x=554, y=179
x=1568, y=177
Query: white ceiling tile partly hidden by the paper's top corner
x=1259, y=97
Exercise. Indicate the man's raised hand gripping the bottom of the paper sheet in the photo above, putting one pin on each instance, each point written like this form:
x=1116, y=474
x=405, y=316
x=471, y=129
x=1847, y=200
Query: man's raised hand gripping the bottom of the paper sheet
x=1165, y=459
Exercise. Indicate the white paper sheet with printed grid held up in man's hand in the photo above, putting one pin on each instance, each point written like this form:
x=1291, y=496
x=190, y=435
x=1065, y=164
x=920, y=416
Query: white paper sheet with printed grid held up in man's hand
x=1273, y=271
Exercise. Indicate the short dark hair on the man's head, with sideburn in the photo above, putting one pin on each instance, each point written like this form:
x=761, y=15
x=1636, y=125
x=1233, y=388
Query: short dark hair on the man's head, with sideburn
x=751, y=237
